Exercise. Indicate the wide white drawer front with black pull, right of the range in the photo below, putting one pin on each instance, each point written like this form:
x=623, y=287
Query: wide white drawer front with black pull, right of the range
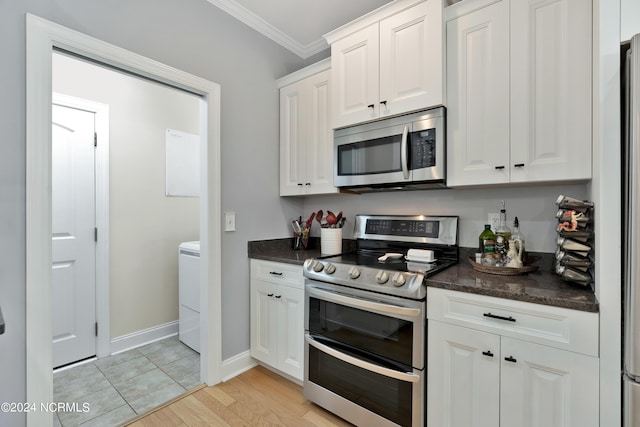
x=553, y=326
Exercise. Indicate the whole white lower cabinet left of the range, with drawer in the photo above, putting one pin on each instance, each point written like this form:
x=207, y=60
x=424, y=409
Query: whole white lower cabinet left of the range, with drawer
x=277, y=316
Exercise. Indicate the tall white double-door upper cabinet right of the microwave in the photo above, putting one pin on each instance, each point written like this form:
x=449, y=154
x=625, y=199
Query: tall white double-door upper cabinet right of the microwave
x=519, y=92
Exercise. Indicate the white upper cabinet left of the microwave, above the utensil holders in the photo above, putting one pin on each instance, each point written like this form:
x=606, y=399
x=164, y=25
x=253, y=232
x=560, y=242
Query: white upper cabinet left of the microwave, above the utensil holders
x=306, y=137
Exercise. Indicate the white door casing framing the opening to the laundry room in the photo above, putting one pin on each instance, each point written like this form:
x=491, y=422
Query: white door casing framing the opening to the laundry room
x=43, y=37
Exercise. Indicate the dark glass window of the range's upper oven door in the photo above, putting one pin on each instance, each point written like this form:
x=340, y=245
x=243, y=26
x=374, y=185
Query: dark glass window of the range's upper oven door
x=385, y=336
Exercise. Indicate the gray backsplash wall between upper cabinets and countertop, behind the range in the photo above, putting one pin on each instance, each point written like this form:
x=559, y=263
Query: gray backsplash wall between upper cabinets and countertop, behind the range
x=533, y=205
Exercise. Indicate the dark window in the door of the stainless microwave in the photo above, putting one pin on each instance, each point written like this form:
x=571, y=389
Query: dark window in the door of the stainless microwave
x=374, y=156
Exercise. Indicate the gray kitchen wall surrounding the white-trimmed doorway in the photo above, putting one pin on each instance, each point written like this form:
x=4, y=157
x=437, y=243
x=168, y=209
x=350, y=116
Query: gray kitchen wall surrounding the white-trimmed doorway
x=191, y=35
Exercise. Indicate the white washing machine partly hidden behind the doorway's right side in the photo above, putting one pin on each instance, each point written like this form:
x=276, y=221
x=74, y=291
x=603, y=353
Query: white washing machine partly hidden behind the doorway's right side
x=189, y=294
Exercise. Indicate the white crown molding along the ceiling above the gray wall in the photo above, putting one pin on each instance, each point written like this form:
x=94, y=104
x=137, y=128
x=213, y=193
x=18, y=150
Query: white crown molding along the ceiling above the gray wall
x=249, y=18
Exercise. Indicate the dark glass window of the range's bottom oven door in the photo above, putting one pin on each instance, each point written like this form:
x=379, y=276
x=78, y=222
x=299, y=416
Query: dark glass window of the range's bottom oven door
x=387, y=397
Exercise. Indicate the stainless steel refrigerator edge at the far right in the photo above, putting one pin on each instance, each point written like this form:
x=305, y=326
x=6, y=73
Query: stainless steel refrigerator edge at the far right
x=631, y=212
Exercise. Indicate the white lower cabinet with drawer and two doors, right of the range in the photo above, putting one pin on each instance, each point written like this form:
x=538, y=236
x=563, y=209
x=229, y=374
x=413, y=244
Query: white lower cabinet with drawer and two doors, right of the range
x=486, y=378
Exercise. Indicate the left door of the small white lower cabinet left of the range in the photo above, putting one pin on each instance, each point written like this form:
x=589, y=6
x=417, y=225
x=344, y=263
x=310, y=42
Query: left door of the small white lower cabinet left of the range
x=263, y=322
